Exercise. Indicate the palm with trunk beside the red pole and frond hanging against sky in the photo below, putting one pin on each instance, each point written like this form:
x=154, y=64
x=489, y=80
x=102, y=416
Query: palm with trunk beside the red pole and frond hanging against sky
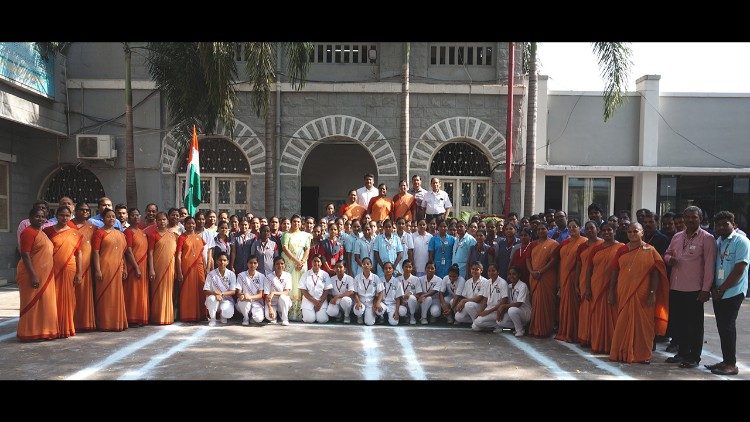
x=614, y=64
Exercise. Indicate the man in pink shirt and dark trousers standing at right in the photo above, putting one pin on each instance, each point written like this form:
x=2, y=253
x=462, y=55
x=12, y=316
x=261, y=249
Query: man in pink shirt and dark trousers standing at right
x=691, y=256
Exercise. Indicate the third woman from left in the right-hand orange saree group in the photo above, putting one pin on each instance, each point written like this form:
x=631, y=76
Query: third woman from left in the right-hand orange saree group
x=583, y=263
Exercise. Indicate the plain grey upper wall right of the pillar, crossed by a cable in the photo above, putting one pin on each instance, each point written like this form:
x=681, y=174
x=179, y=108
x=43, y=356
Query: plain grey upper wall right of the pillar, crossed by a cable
x=717, y=123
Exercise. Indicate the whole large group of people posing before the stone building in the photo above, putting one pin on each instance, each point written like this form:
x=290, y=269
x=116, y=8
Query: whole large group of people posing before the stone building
x=395, y=260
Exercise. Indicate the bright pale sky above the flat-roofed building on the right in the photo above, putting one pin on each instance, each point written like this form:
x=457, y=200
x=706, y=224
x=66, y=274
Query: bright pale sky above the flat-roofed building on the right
x=684, y=67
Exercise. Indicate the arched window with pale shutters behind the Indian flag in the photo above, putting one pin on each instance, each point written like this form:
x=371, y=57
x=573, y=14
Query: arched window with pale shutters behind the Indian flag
x=225, y=177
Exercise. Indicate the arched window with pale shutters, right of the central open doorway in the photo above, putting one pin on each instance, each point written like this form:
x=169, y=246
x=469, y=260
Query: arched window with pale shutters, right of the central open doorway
x=465, y=175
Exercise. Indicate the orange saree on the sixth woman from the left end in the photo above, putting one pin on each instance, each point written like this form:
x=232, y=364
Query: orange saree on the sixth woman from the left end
x=161, y=291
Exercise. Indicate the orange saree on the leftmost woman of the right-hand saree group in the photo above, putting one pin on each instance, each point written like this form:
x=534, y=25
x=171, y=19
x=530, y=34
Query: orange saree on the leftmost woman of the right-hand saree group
x=543, y=290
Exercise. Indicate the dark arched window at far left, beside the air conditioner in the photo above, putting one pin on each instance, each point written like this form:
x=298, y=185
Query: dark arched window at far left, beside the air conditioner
x=76, y=182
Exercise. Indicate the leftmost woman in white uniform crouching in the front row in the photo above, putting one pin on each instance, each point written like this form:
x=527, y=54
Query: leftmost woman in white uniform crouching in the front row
x=219, y=289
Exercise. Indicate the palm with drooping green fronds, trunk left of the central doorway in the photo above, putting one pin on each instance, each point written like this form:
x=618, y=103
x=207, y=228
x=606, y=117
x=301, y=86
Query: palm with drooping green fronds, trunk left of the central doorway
x=198, y=83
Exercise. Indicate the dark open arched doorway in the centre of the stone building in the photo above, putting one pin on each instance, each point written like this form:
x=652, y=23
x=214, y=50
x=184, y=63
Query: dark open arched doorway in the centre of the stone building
x=330, y=170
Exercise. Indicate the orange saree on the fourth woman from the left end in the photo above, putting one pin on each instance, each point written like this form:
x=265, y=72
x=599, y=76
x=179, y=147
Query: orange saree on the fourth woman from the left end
x=110, y=298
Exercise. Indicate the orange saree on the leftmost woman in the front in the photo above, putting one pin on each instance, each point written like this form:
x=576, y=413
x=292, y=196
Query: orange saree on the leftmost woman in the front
x=38, y=317
